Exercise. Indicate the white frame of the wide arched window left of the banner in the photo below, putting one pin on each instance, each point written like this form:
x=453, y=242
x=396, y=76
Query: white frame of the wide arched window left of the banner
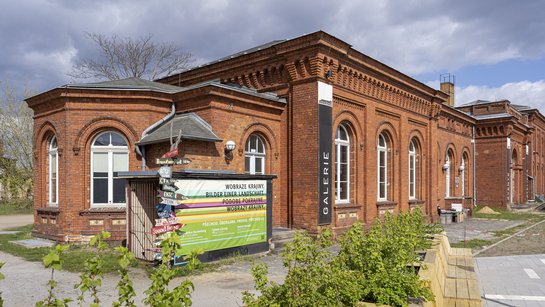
x=110, y=150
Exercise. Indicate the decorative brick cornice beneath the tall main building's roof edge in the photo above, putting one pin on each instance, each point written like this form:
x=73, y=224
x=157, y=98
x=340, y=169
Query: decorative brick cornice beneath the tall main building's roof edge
x=310, y=57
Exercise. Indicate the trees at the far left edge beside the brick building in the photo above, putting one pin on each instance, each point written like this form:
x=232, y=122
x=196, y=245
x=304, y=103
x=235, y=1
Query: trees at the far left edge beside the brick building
x=16, y=130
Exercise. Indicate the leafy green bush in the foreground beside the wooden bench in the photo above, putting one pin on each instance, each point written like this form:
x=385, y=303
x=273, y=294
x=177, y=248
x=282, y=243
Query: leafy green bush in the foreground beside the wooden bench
x=377, y=265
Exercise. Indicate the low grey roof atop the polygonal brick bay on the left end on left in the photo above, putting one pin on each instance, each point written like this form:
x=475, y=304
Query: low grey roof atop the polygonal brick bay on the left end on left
x=132, y=83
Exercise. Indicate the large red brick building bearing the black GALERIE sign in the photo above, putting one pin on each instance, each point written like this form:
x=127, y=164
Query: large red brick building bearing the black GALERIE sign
x=348, y=137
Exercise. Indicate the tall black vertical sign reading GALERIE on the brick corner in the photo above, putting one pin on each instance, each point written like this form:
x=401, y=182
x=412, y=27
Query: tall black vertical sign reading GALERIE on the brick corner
x=325, y=158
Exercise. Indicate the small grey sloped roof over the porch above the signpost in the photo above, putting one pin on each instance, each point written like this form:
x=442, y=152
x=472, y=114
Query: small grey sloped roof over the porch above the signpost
x=193, y=128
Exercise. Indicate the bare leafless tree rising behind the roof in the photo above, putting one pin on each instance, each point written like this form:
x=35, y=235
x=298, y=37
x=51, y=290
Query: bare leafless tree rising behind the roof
x=122, y=58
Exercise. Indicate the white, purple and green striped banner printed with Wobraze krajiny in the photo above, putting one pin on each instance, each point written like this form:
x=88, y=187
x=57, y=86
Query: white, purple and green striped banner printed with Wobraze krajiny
x=221, y=214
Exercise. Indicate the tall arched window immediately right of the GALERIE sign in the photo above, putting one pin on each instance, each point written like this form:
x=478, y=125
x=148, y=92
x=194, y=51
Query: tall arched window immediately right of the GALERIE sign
x=342, y=165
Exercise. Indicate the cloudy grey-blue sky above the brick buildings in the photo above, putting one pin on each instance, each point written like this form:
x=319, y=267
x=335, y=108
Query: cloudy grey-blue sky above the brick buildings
x=40, y=40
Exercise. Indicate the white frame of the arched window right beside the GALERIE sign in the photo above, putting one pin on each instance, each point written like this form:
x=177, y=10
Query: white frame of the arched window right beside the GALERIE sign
x=339, y=160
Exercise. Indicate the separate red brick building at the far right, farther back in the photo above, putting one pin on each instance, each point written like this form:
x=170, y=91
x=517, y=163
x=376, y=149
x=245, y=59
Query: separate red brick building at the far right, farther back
x=509, y=152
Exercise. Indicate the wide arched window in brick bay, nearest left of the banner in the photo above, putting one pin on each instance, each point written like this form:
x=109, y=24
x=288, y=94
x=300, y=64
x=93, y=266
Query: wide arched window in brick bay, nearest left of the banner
x=109, y=155
